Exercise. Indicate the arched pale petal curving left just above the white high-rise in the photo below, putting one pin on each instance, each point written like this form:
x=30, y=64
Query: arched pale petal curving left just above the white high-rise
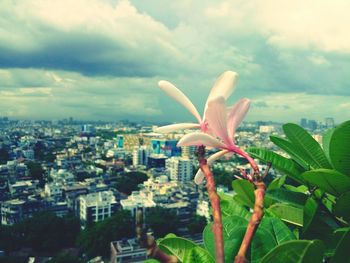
x=197, y=138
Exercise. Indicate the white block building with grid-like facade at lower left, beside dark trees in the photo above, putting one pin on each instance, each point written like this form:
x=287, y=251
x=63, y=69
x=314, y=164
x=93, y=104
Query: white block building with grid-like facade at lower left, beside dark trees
x=95, y=207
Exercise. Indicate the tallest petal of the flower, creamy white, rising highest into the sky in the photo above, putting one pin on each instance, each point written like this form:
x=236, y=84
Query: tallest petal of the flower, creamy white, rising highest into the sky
x=223, y=87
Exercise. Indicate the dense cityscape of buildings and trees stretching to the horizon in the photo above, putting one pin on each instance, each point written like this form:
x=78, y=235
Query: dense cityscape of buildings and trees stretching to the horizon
x=85, y=173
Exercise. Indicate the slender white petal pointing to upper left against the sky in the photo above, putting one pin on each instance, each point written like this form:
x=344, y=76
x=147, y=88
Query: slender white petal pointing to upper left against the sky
x=181, y=98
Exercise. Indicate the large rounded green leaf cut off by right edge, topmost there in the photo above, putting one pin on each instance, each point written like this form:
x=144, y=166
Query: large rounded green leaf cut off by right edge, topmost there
x=339, y=148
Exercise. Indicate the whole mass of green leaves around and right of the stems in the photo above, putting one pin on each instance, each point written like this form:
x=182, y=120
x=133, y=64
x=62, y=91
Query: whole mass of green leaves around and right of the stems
x=307, y=210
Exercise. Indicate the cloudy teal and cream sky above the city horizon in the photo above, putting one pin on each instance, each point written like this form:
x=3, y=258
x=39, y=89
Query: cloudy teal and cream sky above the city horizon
x=102, y=59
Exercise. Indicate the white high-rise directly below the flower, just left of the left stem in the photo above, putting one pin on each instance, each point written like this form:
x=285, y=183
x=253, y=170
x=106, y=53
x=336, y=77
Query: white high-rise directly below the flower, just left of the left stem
x=179, y=169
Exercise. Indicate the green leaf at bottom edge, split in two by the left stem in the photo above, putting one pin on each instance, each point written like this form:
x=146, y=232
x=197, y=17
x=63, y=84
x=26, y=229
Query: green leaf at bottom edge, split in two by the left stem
x=233, y=231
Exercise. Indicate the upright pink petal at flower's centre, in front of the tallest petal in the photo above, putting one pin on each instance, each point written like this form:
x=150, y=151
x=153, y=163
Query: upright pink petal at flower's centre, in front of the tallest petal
x=217, y=117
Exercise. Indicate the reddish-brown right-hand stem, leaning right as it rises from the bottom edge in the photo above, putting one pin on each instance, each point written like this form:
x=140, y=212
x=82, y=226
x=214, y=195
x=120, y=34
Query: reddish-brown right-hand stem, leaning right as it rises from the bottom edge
x=254, y=221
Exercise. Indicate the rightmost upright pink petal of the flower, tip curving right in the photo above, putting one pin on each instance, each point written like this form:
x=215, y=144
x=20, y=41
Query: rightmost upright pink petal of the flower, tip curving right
x=236, y=115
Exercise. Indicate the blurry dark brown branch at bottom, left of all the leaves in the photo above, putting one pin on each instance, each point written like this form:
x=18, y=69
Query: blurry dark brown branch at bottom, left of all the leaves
x=147, y=241
